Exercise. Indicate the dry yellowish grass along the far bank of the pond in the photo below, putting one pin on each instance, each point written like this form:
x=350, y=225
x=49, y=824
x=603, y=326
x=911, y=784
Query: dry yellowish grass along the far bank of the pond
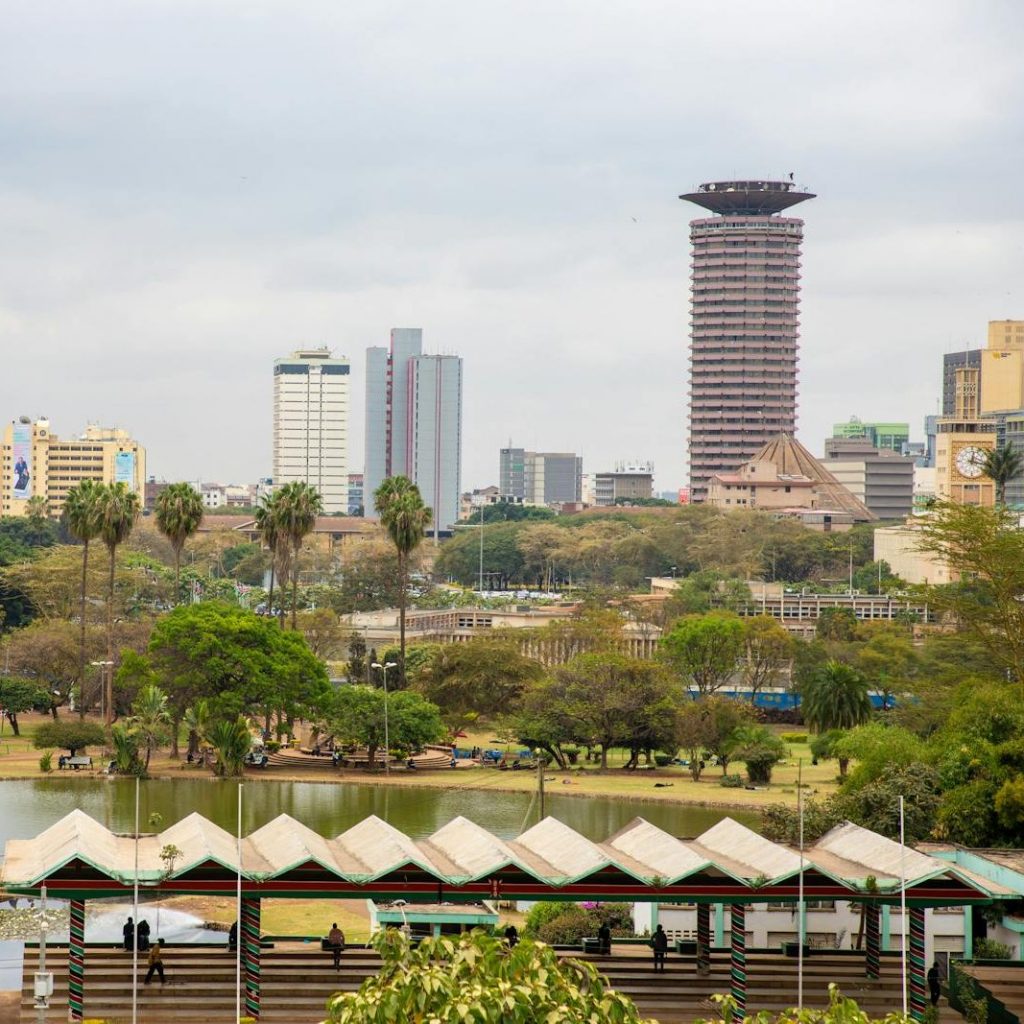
x=20, y=760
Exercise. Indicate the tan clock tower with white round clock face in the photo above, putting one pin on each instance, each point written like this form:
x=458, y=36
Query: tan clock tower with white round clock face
x=964, y=441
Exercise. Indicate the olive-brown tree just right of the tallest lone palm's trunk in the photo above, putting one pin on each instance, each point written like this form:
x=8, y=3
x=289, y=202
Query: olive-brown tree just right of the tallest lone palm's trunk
x=483, y=676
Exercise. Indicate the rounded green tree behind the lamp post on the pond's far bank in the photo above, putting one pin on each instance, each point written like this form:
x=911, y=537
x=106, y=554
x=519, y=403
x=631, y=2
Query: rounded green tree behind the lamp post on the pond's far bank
x=358, y=716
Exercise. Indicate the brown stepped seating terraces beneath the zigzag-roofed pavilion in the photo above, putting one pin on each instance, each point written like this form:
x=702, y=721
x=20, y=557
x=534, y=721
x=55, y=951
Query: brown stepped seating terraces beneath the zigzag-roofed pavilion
x=298, y=980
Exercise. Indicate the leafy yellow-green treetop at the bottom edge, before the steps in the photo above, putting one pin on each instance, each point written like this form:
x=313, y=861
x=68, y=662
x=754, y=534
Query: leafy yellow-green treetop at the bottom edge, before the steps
x=478, y=977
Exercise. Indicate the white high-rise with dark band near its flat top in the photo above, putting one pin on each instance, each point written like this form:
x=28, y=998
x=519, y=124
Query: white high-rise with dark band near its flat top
x=311, y=424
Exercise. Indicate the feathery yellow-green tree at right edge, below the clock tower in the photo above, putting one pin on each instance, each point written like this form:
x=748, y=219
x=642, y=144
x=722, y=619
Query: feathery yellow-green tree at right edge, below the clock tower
x=985, y=550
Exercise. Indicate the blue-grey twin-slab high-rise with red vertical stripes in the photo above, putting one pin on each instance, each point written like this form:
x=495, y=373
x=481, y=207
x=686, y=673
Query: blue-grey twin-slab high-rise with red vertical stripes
x=414, y=423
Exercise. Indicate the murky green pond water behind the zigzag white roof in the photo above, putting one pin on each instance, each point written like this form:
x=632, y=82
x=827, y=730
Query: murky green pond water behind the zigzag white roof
x=29, y=807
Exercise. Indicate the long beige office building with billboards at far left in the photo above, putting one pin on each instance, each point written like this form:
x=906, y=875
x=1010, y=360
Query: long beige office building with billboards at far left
x=36, y=463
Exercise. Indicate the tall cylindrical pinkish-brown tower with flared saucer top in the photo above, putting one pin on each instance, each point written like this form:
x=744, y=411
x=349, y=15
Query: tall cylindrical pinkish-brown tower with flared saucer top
x=746, y=298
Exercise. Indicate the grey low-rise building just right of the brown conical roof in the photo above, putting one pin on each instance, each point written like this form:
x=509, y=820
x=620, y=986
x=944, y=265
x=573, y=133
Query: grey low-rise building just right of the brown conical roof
x=882, y=479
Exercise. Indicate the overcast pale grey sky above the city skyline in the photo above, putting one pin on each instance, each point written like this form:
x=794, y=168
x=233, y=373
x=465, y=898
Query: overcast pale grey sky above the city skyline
x=191, y=189
